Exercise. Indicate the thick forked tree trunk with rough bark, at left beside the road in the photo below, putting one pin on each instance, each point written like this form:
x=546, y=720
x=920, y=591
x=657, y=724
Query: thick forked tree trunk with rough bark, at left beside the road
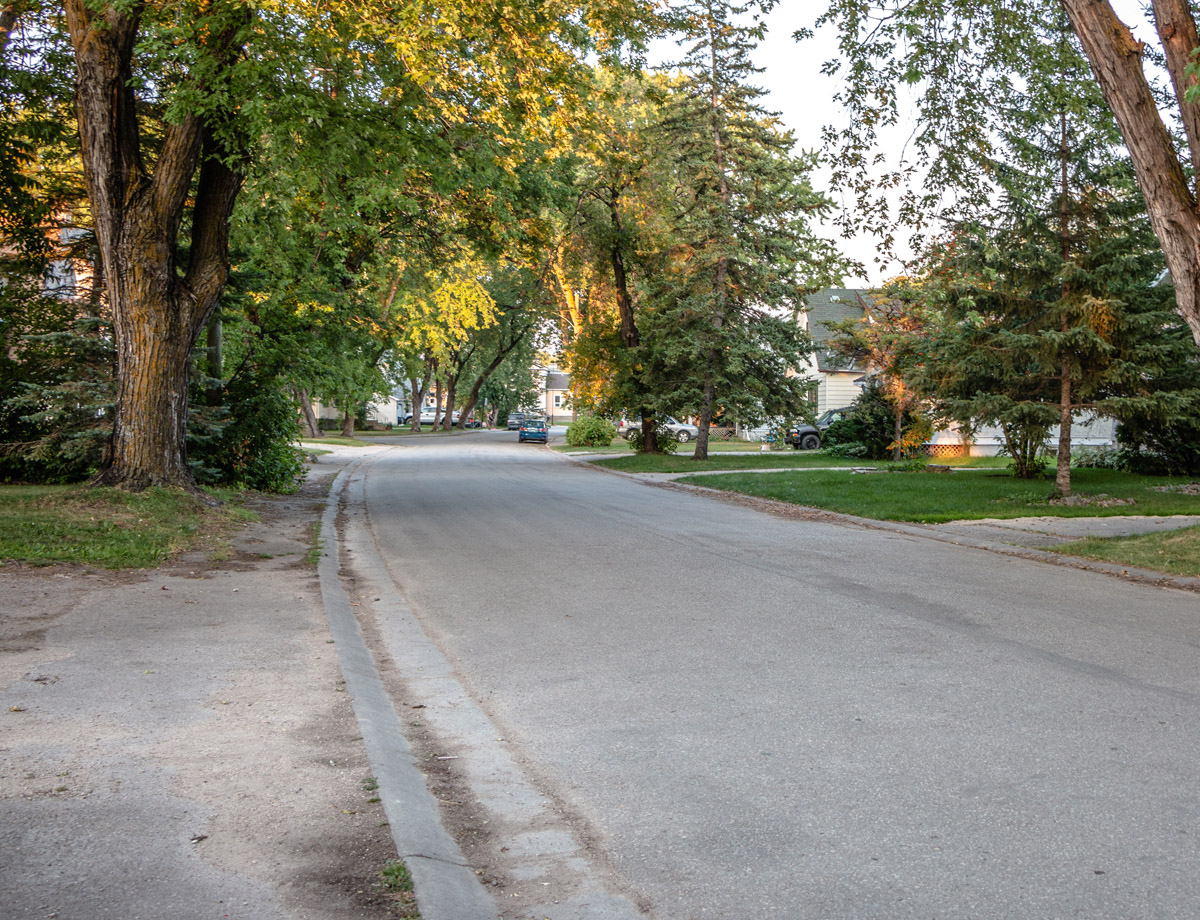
x=158, y=312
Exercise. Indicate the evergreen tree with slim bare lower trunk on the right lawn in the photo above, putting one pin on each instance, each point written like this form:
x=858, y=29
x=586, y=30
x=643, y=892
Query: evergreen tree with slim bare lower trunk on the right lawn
x=1048, y=303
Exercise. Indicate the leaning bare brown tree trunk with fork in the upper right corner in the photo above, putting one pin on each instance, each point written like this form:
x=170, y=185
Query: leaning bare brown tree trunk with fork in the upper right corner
x=1117, y=62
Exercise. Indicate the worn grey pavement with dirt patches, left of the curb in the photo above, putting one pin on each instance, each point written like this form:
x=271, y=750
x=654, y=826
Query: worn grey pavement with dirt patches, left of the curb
x=178, y=743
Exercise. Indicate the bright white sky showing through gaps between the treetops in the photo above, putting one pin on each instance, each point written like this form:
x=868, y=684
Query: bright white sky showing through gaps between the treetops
x=803, y=98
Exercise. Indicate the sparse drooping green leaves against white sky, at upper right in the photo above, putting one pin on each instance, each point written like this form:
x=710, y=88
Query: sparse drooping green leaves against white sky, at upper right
x=958, y=70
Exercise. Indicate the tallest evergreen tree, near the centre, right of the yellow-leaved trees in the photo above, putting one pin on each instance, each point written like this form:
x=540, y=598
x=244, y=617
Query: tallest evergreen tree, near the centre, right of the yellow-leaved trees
x=722, y=333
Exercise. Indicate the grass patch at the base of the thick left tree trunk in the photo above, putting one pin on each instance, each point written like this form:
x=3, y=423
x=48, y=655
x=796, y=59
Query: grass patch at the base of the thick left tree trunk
x=105, y=528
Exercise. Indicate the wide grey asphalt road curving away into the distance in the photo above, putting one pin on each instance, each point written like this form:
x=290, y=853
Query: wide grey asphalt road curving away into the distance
x=752, y=717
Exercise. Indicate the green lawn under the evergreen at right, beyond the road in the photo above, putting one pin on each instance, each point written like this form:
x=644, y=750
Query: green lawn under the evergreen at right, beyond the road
x=935, y=498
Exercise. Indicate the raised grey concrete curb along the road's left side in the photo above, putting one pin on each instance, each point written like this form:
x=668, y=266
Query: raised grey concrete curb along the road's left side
x=446, y=887
